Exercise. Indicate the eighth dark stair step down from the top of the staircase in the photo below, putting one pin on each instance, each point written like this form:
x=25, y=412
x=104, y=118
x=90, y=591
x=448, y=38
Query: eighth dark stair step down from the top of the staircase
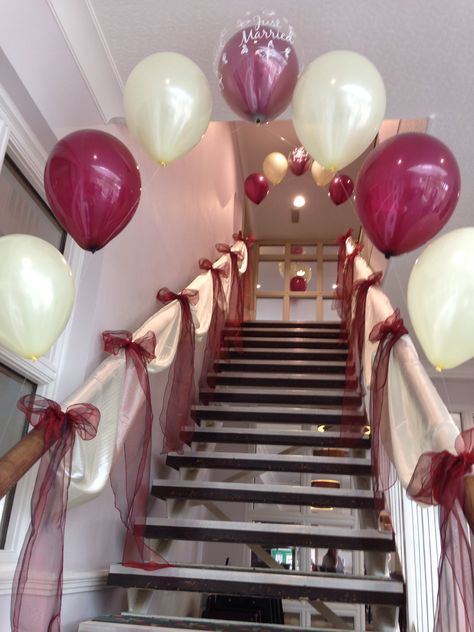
x=276, y=414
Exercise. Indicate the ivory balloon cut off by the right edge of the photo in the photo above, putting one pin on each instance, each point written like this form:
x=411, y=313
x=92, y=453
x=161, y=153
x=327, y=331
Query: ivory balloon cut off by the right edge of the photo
x=441, y=299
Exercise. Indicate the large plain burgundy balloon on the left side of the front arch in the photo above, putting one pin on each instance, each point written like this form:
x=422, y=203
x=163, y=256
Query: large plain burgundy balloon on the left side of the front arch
x=93, y=186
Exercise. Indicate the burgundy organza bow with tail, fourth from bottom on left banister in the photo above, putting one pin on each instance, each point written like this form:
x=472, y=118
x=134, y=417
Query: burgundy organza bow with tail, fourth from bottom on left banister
x=214, y=333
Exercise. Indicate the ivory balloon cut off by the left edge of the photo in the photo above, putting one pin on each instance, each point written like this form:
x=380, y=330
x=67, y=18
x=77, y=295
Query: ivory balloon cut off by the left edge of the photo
x=36, y=294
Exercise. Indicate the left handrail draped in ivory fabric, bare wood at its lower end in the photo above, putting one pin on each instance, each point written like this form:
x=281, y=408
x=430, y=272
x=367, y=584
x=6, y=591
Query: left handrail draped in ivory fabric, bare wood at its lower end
x=92, y=460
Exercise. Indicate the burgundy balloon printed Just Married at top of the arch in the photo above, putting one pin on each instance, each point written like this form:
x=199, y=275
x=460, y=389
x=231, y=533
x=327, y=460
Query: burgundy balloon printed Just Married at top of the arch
x=258, y=70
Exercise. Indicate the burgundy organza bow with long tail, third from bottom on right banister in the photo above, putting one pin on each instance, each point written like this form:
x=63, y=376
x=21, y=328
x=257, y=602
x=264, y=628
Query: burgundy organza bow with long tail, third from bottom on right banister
x=354, y=382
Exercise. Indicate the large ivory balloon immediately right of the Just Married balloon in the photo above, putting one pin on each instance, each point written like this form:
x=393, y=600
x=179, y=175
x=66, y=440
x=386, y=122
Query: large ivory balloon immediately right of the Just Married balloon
x=338, y=106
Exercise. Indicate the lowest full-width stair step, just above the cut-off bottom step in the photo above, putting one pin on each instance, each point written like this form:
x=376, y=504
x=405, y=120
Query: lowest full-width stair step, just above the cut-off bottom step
x=258, y=582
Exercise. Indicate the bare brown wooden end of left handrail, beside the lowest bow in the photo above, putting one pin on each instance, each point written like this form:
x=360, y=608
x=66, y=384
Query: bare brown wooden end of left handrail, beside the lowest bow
x=21, y=458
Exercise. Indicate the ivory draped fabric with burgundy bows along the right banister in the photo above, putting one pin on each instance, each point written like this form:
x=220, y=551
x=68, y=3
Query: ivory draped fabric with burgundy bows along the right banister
x=408, y=417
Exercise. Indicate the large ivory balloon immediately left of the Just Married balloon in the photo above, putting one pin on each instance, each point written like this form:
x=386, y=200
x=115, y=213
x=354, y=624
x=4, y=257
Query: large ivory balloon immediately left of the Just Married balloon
x=168, y=105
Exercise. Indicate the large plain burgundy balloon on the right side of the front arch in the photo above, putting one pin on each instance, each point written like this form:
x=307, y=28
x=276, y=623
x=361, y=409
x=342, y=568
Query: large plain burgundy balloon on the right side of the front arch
x=406, y=191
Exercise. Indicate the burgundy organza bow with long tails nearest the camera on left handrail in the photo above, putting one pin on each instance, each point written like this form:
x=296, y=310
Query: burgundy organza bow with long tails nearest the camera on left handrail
x=38, y=580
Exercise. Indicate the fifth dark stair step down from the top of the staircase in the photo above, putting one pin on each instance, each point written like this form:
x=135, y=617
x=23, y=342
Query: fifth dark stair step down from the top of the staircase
x=314, y=367
